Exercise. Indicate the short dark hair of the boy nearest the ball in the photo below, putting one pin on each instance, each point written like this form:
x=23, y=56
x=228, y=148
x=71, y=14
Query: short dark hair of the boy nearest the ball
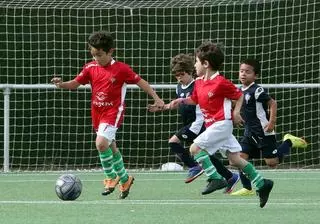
x=101, y=40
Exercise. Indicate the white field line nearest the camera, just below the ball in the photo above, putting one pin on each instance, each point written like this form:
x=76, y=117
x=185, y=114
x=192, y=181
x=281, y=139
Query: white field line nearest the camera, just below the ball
x=273, y=202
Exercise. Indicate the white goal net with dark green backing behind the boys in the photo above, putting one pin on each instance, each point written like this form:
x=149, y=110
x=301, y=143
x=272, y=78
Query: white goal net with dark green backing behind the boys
x=50, y=129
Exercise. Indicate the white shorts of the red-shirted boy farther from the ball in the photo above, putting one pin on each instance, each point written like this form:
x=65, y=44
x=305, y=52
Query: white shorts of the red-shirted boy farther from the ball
x=218, y=136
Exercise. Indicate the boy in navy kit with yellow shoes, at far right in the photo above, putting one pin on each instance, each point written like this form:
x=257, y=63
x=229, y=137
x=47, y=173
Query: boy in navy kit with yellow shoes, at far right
x=259, y=112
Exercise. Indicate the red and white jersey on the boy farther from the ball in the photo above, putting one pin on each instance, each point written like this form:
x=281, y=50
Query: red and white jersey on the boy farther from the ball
x=214, y=97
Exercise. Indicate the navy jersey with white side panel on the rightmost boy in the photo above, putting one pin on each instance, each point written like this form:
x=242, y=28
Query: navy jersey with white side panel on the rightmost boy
x=254, y=110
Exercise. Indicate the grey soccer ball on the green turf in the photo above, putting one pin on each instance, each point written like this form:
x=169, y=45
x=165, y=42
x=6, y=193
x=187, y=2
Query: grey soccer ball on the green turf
x=68, y=187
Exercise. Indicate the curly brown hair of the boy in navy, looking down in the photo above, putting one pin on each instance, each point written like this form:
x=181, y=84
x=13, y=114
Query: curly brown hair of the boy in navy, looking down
x=182, y=63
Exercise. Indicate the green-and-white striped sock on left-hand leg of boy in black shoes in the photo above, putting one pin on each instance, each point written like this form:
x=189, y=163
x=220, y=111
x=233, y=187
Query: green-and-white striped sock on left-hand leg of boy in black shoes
x=203, y=159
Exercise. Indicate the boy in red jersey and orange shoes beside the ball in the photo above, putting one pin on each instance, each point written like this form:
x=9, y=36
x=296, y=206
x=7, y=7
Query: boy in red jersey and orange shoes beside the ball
x=108, y=79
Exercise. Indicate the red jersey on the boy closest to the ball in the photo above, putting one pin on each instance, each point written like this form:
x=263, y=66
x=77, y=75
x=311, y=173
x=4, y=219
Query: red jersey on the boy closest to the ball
x=108, y=86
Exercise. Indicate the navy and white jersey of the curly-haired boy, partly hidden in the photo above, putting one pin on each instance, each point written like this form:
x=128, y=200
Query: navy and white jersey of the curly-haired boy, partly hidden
x=190, y=114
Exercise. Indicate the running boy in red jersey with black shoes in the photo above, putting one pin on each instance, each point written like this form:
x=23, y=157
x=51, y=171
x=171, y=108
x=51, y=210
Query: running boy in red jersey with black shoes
x=214, y=94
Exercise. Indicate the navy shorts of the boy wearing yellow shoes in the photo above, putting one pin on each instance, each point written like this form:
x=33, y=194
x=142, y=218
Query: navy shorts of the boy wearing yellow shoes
x=259, y=147
